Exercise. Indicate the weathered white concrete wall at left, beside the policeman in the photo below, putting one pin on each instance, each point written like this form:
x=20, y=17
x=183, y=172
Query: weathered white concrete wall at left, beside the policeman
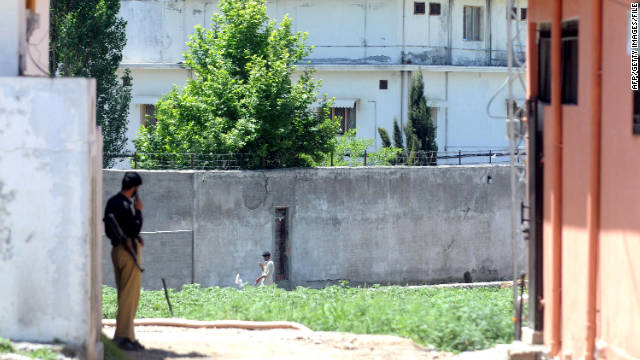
x=50, y=212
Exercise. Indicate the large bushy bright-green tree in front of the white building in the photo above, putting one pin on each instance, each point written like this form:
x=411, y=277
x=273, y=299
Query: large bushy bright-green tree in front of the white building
x=242, y=98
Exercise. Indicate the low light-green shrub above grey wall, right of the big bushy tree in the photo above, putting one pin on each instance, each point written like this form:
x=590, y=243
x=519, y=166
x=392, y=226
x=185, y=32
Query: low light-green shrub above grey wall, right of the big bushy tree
x=349, y=151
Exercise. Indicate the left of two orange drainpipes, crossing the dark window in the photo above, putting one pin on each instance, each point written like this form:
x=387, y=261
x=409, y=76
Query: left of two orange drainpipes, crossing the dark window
x=556, y=195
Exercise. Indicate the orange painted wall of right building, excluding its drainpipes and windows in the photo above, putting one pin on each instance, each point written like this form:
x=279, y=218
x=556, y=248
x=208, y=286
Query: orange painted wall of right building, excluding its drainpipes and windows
x=618, y=303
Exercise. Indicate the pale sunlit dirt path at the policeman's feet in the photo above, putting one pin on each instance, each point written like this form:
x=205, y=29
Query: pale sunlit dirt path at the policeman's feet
x=228, y=344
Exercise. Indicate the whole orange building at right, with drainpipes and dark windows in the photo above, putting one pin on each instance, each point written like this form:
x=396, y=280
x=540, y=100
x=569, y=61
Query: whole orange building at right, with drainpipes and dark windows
x=584, y=138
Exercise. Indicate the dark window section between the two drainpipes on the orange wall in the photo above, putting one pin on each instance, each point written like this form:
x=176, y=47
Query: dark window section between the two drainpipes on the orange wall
x=570, y=62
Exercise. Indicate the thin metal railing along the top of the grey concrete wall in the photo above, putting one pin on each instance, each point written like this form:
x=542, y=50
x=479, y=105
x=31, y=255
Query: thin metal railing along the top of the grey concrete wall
x=237, y=161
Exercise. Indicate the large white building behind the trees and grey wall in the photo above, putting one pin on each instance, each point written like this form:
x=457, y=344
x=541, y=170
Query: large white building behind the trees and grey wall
x=365, y=52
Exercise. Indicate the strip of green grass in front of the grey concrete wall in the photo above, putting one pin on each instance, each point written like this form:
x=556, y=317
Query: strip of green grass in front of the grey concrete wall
x=449, y=319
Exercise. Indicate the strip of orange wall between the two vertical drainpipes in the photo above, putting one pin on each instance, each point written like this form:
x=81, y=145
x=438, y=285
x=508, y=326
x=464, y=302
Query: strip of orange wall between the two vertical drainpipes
x=576, y=165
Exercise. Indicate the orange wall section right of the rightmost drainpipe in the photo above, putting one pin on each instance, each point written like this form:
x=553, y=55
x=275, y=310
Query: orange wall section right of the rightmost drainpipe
x=620, y=201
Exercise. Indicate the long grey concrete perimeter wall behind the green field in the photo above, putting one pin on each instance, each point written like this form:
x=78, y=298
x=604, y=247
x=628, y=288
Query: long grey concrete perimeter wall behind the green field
x=374, y=225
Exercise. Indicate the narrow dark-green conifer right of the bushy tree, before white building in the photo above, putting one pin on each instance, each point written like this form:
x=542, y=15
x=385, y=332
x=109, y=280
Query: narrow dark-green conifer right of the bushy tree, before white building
x=420, y=130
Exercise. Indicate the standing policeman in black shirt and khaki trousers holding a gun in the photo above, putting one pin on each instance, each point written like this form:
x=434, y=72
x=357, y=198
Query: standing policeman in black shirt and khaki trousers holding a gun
x=125, y=255
